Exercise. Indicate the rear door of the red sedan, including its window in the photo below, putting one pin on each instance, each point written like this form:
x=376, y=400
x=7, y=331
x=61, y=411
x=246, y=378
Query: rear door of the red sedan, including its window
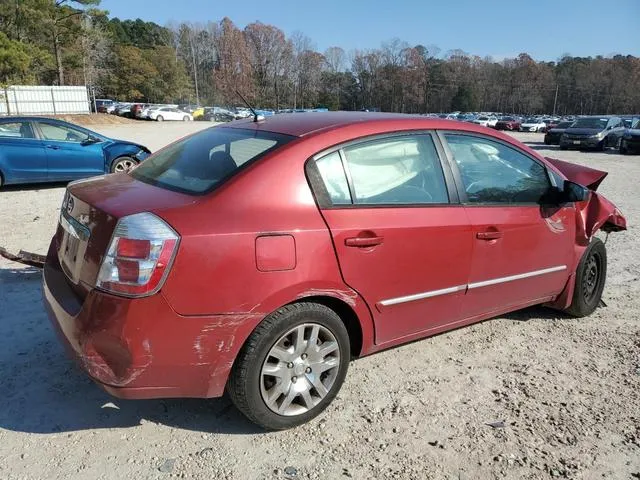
x=402, y=239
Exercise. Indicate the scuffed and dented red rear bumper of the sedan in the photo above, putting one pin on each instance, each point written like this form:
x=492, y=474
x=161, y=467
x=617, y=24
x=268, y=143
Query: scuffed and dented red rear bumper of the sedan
x=141, y=348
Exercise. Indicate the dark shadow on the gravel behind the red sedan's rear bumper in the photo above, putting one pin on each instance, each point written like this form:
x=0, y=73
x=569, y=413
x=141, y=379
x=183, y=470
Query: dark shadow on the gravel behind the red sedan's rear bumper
x=45, y=392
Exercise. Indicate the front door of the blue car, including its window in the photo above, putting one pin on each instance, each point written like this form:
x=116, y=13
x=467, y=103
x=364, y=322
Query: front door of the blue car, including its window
x=68, y=158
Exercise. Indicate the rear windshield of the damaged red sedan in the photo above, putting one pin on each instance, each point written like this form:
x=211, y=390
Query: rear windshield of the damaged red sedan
x=201, y=162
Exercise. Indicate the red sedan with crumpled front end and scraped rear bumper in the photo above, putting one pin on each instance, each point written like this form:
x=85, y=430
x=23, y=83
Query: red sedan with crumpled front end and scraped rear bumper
x=262, y=256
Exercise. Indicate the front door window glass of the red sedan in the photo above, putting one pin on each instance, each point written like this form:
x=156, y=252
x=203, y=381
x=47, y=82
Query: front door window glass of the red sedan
x=494, y=173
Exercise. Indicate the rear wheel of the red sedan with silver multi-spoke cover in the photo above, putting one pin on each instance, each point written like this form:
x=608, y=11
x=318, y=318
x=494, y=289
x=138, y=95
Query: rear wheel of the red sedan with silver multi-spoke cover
x=250, y=383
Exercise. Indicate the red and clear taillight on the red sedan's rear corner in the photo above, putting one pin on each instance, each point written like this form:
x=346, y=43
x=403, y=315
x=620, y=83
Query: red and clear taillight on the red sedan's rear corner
x=139, y=256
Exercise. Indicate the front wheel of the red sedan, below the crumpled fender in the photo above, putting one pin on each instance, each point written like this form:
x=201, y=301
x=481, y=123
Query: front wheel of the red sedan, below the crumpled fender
x=591, y=275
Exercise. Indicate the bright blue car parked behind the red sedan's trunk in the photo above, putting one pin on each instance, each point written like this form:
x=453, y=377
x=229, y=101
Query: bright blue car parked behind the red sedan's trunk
x=34, y=149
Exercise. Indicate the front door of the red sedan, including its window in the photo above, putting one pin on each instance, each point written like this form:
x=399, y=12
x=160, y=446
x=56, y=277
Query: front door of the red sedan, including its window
x=522, y=251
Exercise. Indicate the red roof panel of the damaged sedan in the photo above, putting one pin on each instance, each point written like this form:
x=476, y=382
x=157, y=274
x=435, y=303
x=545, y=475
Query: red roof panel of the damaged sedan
x=302, y=124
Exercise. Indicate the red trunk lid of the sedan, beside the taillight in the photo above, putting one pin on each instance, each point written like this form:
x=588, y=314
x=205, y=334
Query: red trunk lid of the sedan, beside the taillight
x=88, y=217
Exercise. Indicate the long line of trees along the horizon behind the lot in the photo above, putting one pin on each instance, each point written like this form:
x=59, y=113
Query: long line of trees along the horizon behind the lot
x=74, y=42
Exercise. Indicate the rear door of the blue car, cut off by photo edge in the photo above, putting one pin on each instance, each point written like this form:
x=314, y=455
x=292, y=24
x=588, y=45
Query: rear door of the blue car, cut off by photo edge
x=22, y=155
